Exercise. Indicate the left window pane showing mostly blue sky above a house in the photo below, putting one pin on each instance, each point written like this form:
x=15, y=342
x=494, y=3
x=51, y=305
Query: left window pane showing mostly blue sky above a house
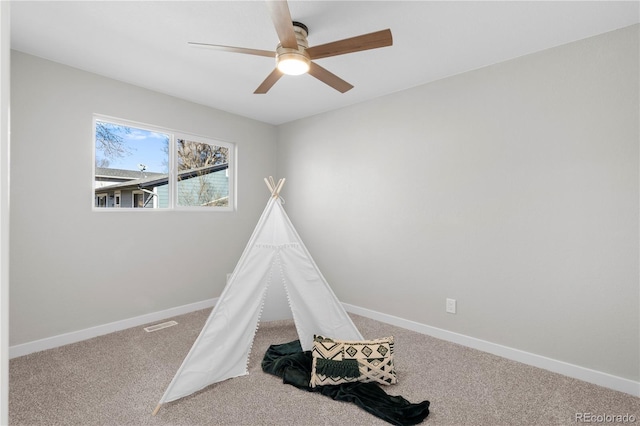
x=131, y=163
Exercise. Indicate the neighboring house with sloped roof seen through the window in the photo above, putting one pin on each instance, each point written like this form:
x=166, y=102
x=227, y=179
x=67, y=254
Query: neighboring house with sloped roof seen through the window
x=203, y=186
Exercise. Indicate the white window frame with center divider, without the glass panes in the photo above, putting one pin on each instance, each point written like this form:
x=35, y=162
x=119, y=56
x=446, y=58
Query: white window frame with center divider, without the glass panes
x=174, y=135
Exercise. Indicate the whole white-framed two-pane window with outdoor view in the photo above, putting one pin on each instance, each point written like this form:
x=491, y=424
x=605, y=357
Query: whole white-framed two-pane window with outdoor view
x=144, y=167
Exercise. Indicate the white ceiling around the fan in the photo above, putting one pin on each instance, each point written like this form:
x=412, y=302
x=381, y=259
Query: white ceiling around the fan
x=145, y=43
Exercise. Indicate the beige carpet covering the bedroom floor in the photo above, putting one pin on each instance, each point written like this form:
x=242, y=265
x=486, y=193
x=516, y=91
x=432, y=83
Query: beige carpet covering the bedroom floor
x=118, y=379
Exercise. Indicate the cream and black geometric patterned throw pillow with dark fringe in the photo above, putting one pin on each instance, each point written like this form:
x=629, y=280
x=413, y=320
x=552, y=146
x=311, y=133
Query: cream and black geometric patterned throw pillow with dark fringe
x=339, y=361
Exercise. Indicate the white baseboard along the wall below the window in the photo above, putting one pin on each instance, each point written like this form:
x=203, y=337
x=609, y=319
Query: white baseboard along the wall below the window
x=77, y=336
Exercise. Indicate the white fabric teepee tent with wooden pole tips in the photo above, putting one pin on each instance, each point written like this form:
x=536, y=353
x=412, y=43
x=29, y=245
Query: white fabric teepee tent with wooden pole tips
x=274, y=257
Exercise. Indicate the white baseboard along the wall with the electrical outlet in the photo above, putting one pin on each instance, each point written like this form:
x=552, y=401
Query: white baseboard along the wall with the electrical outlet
x=561, y=367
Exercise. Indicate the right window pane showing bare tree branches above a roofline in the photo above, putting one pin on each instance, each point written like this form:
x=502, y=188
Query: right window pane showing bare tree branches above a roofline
x=203, y=174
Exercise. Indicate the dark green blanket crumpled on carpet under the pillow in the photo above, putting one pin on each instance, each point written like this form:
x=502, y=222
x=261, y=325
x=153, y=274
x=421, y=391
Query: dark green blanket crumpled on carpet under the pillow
x=294, y=366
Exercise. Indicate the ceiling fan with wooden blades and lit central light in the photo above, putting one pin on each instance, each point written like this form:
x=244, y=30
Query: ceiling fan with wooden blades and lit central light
x=293, y=54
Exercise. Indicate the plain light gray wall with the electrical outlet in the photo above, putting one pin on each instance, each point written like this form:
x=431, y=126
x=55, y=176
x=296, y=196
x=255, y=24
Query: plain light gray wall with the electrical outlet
x=512, y=188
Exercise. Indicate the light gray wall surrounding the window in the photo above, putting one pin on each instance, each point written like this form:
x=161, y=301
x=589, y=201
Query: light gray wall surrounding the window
x=72, y=268
